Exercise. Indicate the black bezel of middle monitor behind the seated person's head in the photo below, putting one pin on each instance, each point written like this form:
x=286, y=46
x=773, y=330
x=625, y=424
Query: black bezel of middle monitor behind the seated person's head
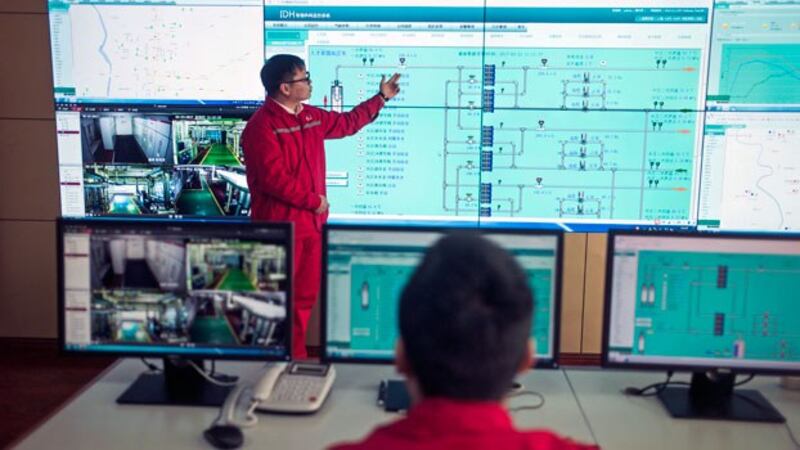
x=539, y=362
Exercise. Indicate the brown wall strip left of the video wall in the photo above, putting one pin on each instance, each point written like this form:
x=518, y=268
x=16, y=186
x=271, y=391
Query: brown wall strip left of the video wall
x=29, y=185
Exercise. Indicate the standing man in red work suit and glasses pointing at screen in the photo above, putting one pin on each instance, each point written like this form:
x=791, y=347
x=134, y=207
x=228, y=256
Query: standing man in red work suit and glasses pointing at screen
x=285, y=161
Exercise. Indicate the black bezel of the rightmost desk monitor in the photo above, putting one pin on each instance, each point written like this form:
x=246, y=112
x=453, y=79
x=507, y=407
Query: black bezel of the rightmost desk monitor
x=667, y=366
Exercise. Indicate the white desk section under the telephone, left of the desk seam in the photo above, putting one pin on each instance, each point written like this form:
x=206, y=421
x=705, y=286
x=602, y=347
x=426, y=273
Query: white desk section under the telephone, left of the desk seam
x=95, y=420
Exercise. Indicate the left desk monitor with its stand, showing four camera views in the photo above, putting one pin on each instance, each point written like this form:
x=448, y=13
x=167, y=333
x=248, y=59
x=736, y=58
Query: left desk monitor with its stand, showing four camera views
x=183, y=291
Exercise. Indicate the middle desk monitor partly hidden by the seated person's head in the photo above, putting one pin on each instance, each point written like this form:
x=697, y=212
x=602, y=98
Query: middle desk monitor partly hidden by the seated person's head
x=366, y=267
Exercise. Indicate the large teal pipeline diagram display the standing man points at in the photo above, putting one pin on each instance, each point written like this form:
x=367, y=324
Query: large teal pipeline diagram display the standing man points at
x=510, y=111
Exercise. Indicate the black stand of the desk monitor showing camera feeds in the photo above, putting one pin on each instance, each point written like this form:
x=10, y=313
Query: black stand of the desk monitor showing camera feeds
x=178, y=384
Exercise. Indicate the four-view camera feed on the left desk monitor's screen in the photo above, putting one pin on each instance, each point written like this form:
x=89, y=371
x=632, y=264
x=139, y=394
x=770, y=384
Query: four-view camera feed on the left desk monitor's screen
x=155, y=290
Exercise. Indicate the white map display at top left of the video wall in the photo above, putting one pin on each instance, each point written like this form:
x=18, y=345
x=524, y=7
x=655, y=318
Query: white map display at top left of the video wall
x=152, y=51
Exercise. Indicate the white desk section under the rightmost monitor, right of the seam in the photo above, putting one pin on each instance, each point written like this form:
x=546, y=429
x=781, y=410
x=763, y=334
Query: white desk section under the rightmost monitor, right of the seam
x=621, y=421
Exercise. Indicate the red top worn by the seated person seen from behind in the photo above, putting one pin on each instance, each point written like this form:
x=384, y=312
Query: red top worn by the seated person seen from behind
x=442, y=424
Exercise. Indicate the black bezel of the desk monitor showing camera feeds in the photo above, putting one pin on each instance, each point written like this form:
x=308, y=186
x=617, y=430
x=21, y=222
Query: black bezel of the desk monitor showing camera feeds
x=213, y=353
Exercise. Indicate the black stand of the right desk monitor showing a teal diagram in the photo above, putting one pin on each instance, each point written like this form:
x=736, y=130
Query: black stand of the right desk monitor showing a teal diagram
x=711, y=395
